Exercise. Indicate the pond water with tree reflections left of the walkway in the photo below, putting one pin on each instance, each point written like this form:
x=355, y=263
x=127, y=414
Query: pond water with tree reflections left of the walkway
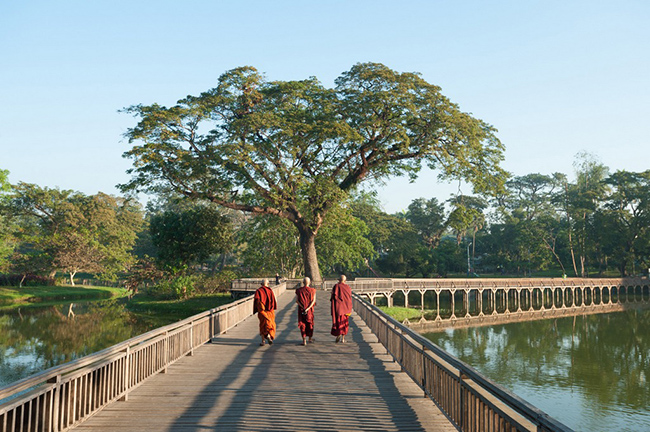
x=36, y=339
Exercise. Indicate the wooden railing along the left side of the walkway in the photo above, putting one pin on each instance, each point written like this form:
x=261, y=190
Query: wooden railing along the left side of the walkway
x=63, y=396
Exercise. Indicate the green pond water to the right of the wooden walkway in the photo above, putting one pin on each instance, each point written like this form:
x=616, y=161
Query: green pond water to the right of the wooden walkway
x=589, y=372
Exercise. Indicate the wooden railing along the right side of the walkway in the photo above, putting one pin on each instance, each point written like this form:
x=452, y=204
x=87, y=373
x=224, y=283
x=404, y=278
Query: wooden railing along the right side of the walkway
x=472, y=401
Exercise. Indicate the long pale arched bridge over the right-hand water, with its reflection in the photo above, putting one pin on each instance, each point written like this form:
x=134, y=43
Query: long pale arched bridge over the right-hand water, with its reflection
x=463, y=303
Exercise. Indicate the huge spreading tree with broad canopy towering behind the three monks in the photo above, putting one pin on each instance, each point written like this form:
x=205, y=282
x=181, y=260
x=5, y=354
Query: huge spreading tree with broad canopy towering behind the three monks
x=296, y=149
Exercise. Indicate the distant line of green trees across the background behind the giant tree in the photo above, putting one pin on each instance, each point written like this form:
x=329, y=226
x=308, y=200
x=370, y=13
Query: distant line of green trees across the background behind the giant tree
x=595, y=225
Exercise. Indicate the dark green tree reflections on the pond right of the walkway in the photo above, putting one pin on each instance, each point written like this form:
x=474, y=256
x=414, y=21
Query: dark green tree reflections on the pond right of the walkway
x=608, y=355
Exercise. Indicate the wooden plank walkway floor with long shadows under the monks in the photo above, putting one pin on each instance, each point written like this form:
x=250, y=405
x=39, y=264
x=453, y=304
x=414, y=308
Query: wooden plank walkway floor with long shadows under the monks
x=233, y=384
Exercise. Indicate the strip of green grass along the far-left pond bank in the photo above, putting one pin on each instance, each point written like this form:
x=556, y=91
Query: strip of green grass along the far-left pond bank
x=31, y=296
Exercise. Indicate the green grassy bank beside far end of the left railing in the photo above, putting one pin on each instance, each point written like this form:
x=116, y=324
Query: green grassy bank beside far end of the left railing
x=178, y=309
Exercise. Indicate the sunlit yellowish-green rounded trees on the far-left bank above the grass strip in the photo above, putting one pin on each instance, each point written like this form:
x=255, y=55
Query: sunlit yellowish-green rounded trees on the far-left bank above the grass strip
x=72, y=232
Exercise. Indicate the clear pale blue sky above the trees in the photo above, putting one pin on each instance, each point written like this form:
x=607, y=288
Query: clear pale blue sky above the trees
x=554, y=77
